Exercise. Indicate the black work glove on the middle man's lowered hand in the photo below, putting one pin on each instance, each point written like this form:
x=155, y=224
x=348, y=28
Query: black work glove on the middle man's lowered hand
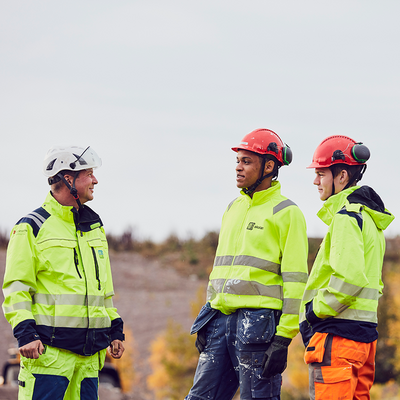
x=275, y=358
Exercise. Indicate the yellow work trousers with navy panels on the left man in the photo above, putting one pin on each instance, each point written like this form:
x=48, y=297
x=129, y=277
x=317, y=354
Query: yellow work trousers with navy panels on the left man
x=60, y=375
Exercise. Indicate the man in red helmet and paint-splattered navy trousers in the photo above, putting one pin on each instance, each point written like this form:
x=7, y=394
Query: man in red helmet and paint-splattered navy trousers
x=257, y=281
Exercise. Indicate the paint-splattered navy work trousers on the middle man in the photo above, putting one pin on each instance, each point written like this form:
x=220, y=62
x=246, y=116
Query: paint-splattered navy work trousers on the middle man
x=233, y=355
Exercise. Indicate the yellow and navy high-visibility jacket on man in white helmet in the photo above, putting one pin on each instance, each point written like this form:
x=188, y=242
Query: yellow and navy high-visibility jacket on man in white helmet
x=58, y=285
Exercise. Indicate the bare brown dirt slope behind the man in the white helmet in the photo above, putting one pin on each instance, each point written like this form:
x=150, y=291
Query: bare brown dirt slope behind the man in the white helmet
x=147, y=296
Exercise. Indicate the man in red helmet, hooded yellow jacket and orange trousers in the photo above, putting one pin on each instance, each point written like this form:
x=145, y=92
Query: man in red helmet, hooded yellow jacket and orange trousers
x=338, y=318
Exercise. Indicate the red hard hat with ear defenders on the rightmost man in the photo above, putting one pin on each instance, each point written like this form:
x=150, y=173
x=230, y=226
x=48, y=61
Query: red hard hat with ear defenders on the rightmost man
x=339, y=149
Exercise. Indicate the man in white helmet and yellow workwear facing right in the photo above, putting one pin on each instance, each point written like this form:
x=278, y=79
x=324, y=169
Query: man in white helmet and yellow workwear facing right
x=58, y=286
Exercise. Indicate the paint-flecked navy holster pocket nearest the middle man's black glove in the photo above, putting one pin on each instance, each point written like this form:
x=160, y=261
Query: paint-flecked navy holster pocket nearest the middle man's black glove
x=255, y=326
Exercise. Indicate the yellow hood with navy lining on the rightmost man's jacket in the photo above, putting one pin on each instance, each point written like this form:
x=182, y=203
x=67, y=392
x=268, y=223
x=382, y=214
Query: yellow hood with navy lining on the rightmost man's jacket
x=366, y=197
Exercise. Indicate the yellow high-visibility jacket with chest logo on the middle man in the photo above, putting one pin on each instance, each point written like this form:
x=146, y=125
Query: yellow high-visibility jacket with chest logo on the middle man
x=261, y=259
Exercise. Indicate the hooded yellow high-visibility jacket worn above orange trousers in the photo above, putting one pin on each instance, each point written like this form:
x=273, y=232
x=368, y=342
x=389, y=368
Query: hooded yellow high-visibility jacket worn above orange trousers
x=345, y=283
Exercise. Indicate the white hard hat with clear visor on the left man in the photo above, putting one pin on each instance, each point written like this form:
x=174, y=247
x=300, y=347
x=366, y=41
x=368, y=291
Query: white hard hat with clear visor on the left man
x=70, y=158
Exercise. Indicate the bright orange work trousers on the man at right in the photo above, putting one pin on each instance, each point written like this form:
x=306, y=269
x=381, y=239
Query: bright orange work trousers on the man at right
x=339, y=368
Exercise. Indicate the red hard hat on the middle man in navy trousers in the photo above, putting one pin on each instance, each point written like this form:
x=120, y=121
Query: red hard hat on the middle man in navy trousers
x=265, y=141
